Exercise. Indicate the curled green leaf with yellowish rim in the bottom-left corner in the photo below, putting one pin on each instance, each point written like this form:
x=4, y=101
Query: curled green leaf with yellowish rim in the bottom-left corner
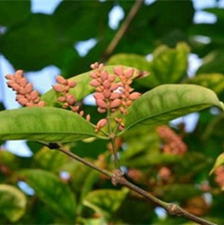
x=12, y=202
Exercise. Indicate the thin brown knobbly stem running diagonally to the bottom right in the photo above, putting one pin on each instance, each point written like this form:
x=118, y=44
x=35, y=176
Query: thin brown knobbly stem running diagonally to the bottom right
x=118, y=178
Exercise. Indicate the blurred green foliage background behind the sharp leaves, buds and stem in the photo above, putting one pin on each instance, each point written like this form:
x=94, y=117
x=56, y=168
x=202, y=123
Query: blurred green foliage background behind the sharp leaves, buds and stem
x=50, y=188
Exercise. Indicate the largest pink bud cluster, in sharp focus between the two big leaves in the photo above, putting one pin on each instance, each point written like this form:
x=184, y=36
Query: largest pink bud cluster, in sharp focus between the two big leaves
x=113, y=91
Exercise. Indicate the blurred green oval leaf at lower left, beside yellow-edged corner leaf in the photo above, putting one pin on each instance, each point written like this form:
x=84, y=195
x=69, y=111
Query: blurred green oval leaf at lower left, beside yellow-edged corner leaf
x=53, y=192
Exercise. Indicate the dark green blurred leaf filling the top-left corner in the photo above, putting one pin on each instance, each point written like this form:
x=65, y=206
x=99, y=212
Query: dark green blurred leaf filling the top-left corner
x=19, y=8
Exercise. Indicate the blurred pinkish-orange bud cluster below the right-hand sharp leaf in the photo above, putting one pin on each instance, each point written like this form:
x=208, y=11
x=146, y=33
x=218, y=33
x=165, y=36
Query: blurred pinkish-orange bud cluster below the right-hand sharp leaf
x=173, y=144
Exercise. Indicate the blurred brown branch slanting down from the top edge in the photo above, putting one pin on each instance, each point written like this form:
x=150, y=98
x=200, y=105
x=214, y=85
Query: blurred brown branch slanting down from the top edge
x=120, y=33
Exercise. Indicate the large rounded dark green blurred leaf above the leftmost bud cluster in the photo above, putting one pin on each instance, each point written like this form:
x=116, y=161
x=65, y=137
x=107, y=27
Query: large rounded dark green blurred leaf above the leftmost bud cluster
x=33, y=45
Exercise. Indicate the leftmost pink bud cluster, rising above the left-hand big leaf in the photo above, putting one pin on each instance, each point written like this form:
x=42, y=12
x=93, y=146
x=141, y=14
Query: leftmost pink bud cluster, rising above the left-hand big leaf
x=25, y=95
